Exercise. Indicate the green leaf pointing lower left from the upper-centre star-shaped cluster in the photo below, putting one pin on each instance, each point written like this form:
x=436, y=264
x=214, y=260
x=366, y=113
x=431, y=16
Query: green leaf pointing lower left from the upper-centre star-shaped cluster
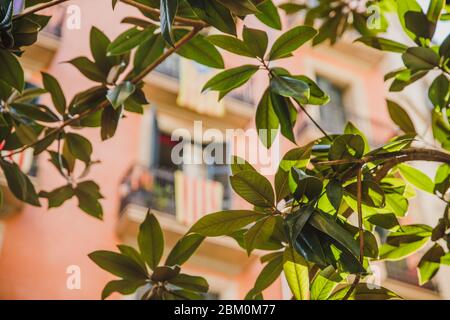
x=230, y=79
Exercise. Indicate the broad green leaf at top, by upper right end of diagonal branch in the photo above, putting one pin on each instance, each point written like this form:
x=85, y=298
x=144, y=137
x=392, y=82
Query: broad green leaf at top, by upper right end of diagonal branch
x=200, y=50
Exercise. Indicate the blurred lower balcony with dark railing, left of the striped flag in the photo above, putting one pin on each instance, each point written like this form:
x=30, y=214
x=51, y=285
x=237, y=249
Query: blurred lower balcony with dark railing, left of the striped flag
x=142, y=189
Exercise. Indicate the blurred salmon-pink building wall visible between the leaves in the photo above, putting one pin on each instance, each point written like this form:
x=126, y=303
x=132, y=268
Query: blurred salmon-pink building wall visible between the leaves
x=39, y=244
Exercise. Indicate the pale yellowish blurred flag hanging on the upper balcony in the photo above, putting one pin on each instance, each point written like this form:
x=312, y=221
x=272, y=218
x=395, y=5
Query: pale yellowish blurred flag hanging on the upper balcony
x=193, y=76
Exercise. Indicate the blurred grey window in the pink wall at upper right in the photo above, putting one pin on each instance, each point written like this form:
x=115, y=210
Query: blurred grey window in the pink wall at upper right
x=333, y=117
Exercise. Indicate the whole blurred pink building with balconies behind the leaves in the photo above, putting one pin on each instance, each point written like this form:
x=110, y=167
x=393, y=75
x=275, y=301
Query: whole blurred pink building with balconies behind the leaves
x=38, y=247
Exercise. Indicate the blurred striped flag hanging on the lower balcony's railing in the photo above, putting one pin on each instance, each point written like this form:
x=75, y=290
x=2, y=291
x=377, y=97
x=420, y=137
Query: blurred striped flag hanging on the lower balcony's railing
x=196, y=197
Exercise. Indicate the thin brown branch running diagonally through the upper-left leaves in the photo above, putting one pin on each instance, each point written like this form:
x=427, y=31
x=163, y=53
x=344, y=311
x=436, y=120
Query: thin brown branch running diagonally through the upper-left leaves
x=105, y=103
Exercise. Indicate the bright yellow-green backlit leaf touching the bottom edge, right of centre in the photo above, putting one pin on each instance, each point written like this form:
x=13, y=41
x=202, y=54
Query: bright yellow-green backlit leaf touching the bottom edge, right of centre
x=324, y=283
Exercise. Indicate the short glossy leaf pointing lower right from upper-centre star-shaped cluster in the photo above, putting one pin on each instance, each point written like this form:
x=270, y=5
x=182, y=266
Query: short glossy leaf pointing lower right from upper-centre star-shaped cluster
x=290, y=87
